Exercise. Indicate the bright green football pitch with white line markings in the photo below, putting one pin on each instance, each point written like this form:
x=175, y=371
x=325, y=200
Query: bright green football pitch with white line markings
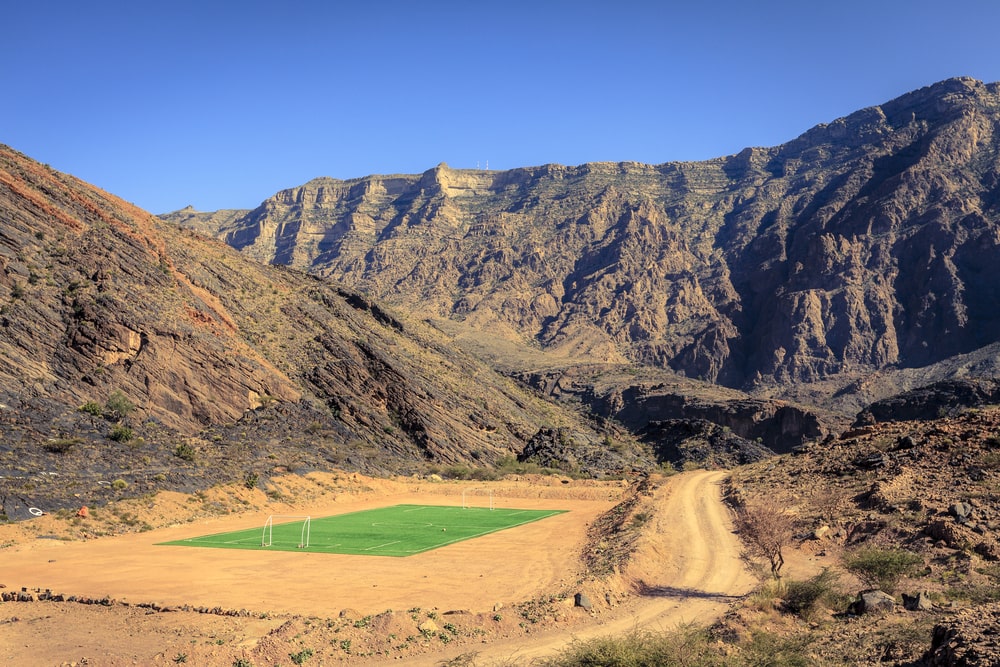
x=400, y=530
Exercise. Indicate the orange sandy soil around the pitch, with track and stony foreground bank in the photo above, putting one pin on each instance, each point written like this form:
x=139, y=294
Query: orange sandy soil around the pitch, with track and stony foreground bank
x=333, y=605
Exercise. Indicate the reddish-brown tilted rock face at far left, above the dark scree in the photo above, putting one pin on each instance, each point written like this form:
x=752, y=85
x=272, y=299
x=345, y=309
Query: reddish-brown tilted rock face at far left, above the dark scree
x=96, y=303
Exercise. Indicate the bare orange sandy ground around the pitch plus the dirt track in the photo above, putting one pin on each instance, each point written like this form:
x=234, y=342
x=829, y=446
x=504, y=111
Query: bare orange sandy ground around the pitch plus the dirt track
x=688, y=570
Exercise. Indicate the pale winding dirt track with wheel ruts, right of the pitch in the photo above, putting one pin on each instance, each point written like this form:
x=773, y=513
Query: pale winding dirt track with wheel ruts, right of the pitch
x=690, y=572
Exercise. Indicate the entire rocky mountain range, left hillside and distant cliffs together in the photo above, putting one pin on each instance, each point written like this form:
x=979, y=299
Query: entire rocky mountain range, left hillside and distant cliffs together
x=595, y=319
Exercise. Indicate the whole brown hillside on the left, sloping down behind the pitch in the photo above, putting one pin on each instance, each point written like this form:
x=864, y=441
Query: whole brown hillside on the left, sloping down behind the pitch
x=194, y=364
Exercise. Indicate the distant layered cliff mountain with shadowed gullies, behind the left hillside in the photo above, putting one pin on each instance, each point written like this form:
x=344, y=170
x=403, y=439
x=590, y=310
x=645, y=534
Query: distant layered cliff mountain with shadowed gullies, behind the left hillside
x=861, y=245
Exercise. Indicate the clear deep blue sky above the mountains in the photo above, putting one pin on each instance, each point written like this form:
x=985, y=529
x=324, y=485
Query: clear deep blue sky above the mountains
x=221, y=104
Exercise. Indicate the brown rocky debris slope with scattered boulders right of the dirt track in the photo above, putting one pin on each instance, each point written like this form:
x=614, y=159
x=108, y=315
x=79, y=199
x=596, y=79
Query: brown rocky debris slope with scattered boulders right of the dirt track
x=926, y=486
